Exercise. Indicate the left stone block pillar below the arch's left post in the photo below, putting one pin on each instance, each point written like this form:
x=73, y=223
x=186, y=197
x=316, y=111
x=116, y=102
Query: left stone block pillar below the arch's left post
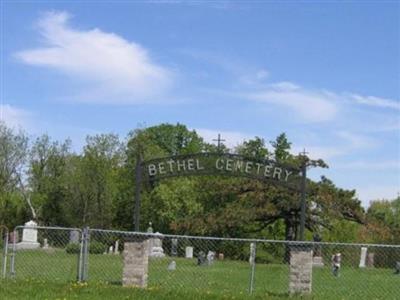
x=136, y=262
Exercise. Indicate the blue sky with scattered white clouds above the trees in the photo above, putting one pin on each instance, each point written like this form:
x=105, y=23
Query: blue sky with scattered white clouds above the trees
x=325, y=73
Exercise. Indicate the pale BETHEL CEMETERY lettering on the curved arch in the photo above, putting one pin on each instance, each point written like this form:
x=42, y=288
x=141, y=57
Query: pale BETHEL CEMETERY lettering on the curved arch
x=223, y=165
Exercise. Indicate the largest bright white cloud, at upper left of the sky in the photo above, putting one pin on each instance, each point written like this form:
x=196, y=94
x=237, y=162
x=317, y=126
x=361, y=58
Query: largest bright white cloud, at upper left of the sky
x=116, y=70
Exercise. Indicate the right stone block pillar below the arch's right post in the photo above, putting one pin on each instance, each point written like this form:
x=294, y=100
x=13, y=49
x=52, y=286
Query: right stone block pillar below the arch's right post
x=300, y=276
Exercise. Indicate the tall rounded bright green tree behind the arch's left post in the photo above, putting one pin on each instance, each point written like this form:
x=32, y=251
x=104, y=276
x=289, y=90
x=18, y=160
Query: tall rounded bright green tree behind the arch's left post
x=159, y=141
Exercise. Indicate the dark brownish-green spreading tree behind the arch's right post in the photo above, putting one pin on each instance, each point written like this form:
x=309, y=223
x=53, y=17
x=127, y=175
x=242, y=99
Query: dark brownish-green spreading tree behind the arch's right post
x=238, y=207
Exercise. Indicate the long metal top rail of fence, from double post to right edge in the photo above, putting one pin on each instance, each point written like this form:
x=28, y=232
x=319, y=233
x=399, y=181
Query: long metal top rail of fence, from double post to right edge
x=242, y=239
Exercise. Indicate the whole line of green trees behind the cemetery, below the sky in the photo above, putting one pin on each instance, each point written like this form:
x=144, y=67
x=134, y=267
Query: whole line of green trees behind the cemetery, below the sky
x=45, y=180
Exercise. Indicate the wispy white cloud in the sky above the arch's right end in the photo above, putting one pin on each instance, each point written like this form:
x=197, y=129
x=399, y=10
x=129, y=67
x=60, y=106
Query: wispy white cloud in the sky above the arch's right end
x=312, y=106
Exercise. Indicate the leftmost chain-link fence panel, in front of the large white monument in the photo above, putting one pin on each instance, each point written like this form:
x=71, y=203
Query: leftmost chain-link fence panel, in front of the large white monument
x=47, y=253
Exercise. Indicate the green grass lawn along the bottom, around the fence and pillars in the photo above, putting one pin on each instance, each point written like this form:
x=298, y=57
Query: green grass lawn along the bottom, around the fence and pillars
x=51, y=275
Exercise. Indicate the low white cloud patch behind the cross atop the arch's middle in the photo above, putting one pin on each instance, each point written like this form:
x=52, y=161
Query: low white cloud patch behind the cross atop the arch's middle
x=232, y=138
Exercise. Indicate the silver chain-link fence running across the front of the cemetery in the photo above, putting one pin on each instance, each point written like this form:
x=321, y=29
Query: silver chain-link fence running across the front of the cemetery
x=222, y=266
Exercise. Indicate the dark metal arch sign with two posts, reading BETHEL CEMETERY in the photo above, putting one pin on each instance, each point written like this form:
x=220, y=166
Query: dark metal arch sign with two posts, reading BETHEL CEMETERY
x=211, y=163
